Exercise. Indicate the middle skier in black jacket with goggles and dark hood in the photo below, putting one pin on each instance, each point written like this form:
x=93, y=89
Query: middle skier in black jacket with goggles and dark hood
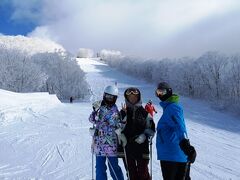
x=139, y=127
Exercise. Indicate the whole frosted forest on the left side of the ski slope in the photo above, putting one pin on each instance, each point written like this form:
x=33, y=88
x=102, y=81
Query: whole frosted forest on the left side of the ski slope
x=56, y=72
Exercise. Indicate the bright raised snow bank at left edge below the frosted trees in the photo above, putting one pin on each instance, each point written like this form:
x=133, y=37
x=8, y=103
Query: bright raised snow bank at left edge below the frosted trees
x=15, y=107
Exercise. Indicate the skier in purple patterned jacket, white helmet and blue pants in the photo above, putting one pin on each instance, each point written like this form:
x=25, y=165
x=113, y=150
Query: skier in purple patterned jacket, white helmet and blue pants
x=106, y=120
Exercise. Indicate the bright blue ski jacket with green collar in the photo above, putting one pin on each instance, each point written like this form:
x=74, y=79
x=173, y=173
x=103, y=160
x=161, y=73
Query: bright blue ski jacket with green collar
x=171, y=130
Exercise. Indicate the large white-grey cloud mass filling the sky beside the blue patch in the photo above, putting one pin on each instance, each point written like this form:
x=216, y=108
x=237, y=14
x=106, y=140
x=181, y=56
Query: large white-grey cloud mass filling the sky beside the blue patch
x=143, y=27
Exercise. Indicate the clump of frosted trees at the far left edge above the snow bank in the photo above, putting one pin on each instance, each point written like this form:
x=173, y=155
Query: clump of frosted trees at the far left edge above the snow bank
x=18, y=73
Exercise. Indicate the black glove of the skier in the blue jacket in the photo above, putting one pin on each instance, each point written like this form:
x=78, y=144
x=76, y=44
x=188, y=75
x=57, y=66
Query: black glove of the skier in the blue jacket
x=188, y=149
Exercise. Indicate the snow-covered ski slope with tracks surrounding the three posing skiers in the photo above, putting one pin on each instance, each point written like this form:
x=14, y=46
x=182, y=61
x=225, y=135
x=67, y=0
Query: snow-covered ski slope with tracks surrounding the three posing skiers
x=40, y=138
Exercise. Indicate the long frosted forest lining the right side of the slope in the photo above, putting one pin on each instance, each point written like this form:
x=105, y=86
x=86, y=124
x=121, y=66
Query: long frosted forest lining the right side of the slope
x=213, y=76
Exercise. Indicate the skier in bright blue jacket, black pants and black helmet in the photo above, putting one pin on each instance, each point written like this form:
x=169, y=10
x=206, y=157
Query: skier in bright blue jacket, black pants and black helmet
x=171, y=130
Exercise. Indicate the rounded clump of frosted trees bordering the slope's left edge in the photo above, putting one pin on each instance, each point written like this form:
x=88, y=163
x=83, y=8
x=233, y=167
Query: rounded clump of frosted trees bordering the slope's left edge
x=64, y=77
